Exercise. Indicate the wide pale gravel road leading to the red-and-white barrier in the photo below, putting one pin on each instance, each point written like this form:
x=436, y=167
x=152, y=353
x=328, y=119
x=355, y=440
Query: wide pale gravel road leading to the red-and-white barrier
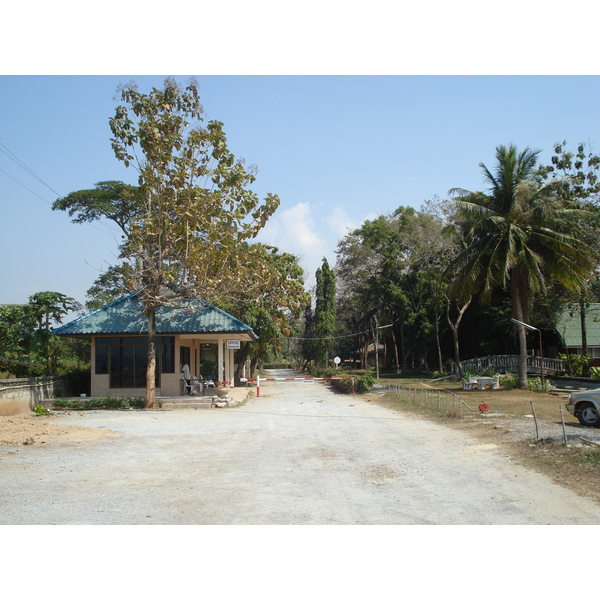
x=299, y=454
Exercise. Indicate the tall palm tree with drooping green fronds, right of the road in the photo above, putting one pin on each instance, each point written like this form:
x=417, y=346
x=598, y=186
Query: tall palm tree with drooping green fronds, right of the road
x=520, y=235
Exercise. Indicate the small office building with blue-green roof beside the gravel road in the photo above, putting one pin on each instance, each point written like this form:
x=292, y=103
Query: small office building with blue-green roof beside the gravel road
x=189, y=331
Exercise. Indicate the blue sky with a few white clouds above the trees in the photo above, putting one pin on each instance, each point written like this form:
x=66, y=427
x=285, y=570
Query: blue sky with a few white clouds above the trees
x=336, y=149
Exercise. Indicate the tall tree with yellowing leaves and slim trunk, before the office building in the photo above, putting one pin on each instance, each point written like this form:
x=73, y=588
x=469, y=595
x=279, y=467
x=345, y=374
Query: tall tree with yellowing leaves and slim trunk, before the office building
x=188, y=223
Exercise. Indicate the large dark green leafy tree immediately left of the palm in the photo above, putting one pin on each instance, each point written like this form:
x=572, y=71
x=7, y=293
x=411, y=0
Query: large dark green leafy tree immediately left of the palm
x=390, y=271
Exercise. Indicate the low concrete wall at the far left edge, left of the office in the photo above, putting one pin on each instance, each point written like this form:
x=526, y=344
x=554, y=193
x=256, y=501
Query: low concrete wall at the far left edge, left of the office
x=18, y=396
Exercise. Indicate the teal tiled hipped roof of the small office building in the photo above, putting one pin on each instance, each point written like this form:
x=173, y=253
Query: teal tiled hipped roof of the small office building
x=124, y=316
